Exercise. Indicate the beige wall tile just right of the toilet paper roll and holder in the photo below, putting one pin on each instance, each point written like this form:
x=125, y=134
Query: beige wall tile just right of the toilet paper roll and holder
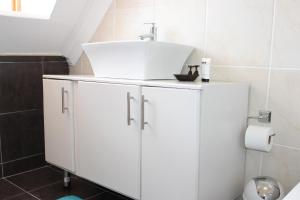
x=285, y=104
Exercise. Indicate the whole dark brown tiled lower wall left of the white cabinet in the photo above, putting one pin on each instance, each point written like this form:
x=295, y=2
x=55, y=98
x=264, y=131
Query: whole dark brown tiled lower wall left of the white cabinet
x=21, y=109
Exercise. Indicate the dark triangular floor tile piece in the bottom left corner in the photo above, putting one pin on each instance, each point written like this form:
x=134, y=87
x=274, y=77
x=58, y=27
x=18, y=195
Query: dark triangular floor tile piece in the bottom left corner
x=8, y=190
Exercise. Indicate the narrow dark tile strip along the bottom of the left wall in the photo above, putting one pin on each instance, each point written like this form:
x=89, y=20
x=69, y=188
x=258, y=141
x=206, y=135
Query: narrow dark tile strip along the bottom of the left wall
x=23, y=165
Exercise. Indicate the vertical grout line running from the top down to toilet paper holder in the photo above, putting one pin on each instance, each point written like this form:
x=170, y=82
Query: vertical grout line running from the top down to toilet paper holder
x=271, y=54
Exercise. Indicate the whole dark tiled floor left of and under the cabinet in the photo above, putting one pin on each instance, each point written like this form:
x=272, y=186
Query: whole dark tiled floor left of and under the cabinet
x=46, y=184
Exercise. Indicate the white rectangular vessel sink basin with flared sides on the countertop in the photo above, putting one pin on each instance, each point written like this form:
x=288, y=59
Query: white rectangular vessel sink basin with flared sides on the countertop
x=143, y=60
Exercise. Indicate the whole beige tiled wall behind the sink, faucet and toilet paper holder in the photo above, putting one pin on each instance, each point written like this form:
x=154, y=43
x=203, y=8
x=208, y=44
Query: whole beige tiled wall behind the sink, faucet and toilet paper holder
x=253, y=41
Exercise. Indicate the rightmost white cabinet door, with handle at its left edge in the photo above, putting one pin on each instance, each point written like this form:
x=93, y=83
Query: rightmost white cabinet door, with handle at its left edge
x=170, y=144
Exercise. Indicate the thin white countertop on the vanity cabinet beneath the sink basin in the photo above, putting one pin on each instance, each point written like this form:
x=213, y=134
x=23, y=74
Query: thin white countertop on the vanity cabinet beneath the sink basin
x=196, y=85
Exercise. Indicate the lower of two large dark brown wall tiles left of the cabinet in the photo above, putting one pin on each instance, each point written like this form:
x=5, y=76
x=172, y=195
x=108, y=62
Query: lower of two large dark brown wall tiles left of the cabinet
x=22, y=134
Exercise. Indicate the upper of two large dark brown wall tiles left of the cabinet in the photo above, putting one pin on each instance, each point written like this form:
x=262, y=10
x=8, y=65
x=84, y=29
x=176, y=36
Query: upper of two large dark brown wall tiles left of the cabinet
x=20, y=86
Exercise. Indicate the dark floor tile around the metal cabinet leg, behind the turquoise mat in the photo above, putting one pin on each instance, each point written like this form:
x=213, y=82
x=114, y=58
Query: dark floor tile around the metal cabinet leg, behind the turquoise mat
x=80, y=188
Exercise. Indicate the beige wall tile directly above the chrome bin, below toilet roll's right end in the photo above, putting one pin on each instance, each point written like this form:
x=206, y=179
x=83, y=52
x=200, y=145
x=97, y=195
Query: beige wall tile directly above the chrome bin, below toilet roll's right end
x=283, y=164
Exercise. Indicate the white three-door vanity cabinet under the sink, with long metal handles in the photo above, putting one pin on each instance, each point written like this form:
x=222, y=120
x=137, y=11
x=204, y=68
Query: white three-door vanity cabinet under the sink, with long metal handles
x=157, y=140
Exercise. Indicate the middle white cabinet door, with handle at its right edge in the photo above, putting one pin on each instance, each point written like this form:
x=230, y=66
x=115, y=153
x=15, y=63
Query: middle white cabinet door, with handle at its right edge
x=108, y=137
